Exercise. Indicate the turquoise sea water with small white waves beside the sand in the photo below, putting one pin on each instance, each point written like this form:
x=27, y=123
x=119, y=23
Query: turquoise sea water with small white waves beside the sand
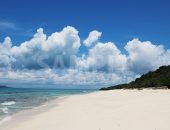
x=13, y=100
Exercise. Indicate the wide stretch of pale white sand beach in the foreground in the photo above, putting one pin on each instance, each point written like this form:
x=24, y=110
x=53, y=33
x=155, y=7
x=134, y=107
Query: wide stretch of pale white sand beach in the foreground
x=102, y=110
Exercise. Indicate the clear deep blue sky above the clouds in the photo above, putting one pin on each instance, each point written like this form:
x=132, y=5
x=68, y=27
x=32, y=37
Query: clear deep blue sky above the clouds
x=119, y=20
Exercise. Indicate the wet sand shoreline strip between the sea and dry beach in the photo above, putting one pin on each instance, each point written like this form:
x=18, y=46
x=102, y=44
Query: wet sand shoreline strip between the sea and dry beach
x=28, y=113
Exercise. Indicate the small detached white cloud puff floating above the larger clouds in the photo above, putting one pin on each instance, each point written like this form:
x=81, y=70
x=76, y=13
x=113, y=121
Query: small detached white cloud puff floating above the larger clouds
x=92, y=38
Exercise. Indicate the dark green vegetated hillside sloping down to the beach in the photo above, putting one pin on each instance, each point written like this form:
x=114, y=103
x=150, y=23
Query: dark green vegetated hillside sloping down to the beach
x=157, y=79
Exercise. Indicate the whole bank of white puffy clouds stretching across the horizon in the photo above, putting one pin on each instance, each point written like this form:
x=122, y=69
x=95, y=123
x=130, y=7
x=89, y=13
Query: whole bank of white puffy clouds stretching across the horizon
x=57, y=59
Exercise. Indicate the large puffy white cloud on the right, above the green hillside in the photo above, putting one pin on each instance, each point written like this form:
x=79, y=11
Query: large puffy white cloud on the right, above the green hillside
x=145, y=56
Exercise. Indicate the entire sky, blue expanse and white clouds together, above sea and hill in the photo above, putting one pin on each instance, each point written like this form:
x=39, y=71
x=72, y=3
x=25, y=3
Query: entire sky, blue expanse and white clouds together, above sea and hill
x=82, y=43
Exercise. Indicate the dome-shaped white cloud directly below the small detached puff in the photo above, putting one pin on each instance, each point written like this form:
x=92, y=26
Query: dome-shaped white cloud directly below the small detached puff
x=103, y=57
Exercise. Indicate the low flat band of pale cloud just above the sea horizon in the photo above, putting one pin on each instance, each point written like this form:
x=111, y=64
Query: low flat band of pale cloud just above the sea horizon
x=66, y=77
